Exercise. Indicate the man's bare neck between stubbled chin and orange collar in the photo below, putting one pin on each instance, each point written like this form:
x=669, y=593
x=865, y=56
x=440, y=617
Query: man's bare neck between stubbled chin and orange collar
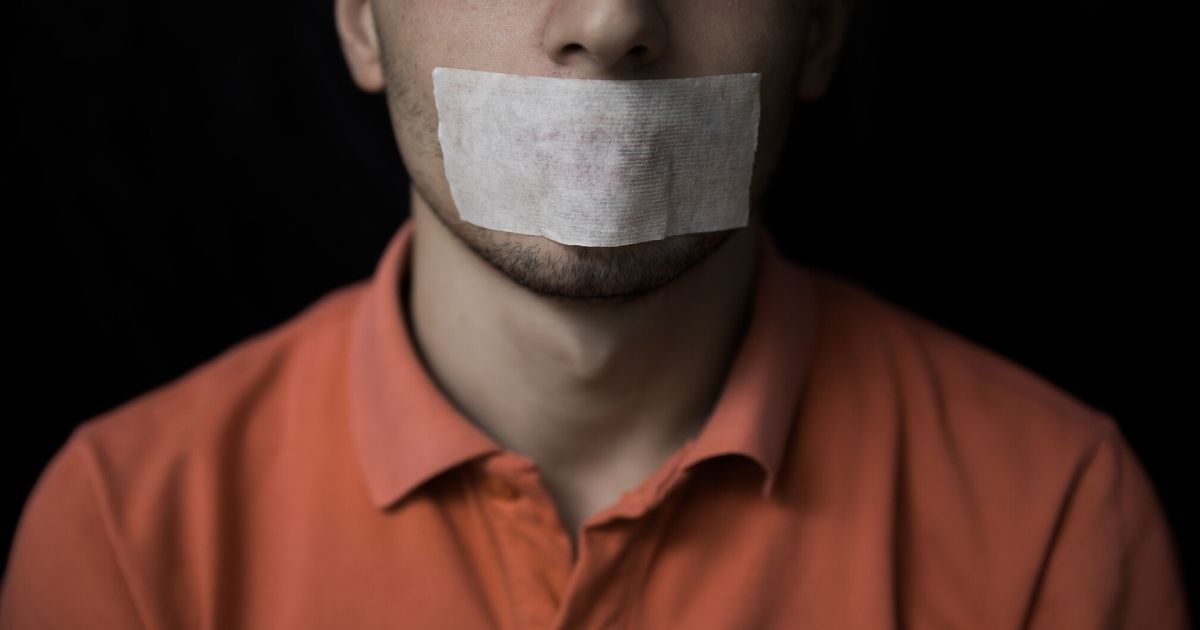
x=583, y=391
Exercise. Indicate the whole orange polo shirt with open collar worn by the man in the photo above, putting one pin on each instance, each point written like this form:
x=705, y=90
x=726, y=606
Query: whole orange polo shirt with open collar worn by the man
x=862, y=470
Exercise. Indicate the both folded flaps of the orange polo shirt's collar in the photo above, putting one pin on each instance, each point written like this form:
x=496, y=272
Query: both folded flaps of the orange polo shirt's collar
x=406, y=433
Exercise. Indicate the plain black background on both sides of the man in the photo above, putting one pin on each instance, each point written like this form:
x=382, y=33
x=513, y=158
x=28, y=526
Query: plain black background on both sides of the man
x=185, y=175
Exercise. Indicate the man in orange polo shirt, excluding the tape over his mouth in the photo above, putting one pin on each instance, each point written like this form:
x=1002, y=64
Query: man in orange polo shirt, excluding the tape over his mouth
x=506, y=431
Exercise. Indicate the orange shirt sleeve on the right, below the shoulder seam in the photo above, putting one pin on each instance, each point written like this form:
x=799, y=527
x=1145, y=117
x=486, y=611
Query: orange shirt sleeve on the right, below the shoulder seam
x=1114, y=562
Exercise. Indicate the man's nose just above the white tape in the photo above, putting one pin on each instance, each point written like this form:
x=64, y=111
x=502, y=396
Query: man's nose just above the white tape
x=614, y=37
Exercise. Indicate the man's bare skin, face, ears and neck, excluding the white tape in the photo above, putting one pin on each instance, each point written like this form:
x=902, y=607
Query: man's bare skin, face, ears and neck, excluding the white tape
x=597, y=363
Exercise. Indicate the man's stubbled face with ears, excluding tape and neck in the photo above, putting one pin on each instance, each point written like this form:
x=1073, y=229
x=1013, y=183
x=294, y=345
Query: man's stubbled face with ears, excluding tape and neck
x=585, y=40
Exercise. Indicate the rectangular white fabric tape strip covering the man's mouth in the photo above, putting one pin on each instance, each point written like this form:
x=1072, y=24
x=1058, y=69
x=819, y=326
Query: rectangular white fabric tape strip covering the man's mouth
x=598, y=163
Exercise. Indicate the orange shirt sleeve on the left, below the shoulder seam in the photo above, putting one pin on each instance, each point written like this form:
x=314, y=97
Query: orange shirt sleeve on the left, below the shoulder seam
x=64, y=572
